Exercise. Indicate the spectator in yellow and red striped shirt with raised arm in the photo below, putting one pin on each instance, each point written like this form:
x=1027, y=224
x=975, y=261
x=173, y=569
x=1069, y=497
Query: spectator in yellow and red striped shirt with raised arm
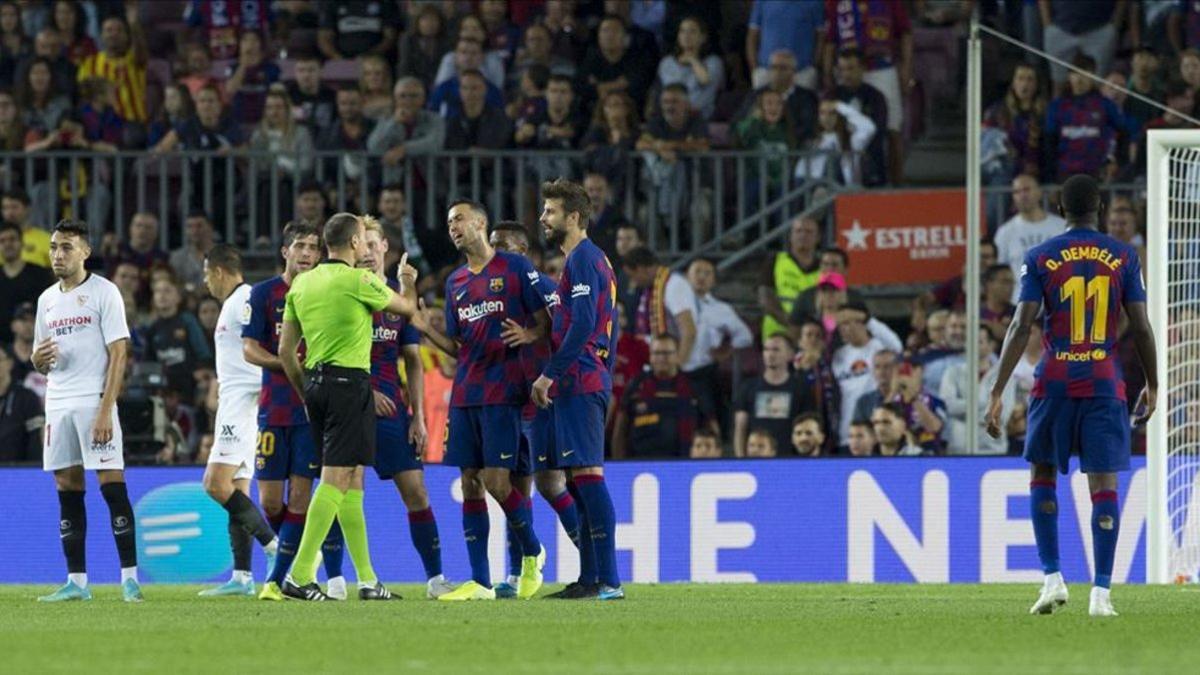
x=124, y=63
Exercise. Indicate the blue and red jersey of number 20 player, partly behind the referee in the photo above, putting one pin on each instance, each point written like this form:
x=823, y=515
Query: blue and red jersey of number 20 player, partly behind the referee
x=279, y=405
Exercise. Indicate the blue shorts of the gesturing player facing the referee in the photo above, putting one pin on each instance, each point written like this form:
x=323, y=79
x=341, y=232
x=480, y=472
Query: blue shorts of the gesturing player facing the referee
x=481, y=437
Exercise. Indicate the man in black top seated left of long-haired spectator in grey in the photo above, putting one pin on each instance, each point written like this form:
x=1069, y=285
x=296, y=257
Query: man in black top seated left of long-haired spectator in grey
x=614, y=67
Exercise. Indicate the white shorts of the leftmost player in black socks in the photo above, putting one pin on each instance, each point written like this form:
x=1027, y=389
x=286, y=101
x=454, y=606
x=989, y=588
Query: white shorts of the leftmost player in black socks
x=68, y=441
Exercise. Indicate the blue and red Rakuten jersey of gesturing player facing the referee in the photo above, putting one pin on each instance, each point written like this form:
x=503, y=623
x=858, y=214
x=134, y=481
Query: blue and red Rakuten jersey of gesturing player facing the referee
x=490, y=373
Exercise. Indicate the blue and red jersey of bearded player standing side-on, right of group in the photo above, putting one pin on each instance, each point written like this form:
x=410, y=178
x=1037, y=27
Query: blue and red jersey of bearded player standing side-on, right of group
x=585, y=327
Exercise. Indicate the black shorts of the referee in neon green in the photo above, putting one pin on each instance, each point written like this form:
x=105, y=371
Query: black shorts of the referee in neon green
x=340, y=410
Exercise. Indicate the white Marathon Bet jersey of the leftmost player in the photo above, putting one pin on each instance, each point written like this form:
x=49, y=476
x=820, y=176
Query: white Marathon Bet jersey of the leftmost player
x=83, y=322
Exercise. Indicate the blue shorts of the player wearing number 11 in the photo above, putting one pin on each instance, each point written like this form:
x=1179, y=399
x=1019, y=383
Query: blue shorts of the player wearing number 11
x=1095, y=429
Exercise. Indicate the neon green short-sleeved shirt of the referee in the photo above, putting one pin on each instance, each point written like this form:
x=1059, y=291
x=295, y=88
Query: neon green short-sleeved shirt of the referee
x=334, y=303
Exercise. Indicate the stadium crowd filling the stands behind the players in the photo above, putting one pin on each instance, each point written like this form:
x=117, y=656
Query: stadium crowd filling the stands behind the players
x=646, y=81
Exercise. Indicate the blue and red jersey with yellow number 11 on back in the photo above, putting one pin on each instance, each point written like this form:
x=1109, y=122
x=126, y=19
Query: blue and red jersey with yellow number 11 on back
x=1083, y=279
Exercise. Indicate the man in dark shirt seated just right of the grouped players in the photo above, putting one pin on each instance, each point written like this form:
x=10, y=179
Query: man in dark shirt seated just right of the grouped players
x=662, y=409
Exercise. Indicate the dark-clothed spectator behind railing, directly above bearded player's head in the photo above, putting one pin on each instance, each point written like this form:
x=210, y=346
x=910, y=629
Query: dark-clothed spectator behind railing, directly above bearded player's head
x=556, y=130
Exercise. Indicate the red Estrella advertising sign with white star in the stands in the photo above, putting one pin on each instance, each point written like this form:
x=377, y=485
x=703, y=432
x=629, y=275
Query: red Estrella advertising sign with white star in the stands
x=910, y=237
